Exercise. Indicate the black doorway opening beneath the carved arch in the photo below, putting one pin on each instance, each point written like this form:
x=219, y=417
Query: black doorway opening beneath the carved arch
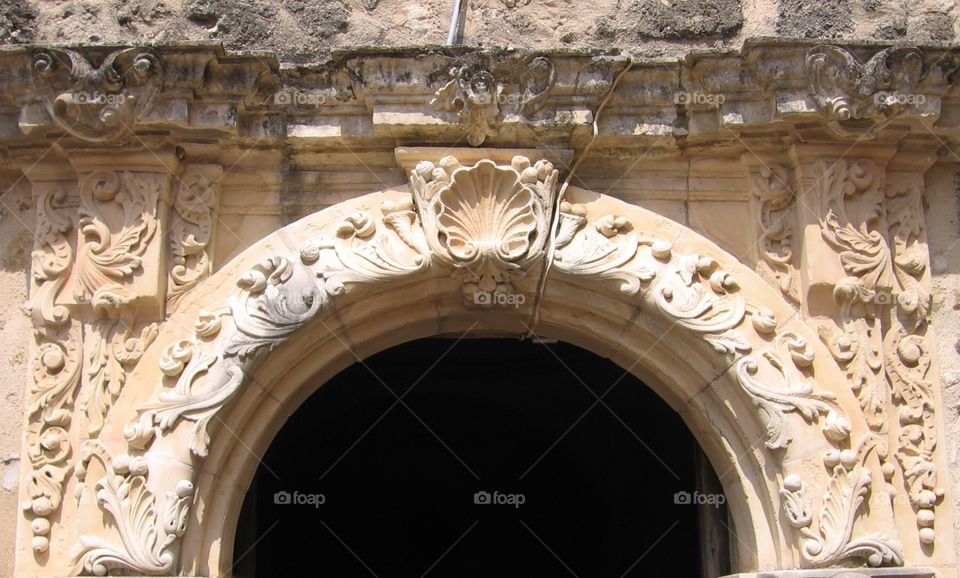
x=499, y=461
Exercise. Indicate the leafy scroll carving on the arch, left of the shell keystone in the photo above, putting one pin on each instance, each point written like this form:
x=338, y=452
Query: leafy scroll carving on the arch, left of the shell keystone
x=272, y=301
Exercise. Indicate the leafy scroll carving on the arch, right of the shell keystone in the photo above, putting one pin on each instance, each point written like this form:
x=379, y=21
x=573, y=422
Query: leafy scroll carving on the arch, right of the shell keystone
x=693, y=292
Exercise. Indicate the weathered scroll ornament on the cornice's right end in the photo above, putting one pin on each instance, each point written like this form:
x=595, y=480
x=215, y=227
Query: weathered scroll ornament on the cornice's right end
x=847, y=90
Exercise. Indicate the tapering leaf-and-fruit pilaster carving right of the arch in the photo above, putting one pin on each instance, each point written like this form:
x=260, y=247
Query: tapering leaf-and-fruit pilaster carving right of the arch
x=877, y=233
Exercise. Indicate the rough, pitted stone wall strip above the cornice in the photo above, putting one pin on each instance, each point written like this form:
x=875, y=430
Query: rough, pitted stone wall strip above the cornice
x=302, y=31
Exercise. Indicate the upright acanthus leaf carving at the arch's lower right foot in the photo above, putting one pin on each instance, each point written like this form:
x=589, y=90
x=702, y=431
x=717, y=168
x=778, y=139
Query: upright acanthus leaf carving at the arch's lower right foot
x=832, y=540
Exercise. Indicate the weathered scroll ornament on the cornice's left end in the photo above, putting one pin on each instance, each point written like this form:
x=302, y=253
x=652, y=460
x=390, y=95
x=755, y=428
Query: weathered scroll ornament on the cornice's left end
x=98, y=103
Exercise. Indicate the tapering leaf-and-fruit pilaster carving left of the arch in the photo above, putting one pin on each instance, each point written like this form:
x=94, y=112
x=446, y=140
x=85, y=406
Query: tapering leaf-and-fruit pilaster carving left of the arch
x=88, y=301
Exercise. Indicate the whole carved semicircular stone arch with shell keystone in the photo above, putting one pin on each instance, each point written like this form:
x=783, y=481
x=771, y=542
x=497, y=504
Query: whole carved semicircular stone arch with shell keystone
x=763, y=396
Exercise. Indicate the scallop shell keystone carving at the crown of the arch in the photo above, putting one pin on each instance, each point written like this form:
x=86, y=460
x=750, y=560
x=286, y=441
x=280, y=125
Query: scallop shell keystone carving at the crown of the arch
x=489, y=222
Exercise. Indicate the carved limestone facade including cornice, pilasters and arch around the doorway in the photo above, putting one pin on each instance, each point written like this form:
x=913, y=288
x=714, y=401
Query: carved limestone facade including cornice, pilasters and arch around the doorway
x=765, y=237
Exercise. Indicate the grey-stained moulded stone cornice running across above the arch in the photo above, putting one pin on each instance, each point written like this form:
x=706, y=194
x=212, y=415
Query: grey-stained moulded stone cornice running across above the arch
x=796, y=90
